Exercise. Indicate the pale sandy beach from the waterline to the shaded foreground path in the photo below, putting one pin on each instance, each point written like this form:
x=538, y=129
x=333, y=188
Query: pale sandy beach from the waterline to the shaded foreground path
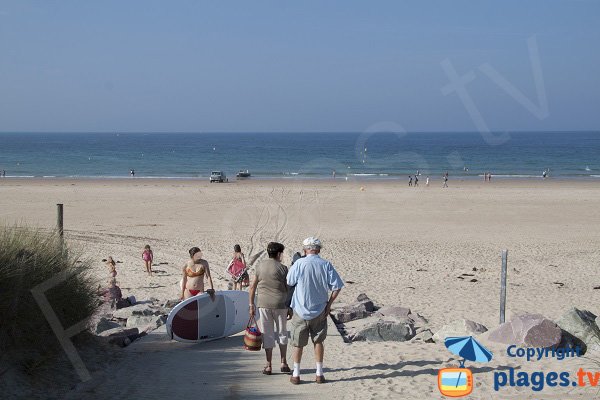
x=399, y=245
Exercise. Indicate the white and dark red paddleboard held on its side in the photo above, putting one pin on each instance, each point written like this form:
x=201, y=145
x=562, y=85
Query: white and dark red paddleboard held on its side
x=200, y=319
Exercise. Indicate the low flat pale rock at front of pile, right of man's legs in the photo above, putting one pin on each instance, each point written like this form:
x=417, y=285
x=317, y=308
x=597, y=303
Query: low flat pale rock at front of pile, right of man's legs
x=381, y=330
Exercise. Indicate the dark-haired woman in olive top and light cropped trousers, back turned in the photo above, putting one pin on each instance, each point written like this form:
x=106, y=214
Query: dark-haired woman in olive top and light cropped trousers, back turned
x=273, y=304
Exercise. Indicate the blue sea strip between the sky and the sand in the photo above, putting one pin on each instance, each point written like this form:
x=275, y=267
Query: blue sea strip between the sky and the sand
x=299, y=155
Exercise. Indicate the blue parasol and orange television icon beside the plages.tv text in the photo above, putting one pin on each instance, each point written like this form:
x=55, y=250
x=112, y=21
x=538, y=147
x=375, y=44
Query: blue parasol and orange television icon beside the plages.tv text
x=458, y=382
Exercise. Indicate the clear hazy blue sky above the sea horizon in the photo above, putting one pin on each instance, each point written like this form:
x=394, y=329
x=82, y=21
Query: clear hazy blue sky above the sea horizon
x=194, y=66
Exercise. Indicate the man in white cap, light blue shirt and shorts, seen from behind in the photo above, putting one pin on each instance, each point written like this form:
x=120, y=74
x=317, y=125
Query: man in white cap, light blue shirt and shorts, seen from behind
x=313, y=279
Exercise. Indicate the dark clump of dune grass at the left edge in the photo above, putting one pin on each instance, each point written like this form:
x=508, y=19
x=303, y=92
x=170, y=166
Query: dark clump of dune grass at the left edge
x=28, y=258
